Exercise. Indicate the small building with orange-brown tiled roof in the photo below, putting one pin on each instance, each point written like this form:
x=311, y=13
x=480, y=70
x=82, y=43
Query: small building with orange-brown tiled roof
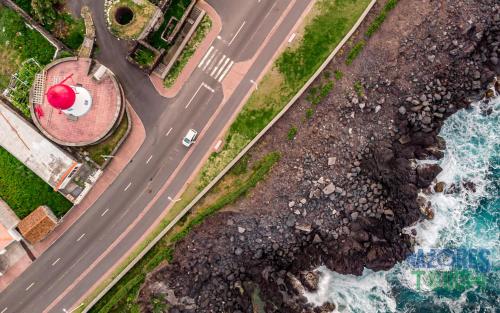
x=36, y=226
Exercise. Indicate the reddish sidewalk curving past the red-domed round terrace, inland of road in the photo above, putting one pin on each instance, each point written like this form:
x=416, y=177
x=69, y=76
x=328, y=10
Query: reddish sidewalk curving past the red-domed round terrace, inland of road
x=125, y=153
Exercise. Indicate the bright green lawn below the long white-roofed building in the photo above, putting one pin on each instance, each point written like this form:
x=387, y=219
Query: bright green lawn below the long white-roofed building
x=23, y=191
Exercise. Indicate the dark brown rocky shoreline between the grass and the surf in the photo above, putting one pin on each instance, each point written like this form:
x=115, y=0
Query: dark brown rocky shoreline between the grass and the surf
x=348, y=184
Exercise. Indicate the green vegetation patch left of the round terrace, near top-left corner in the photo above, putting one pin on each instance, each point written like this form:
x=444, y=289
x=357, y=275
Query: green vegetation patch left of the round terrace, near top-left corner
x=18, y=42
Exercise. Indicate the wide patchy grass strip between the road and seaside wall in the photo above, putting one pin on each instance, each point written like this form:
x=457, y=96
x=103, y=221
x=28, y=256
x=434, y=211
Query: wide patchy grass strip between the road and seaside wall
x=331, y=21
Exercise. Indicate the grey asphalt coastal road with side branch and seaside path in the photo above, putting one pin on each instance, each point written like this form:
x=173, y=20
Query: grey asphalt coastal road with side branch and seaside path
x=122, y=215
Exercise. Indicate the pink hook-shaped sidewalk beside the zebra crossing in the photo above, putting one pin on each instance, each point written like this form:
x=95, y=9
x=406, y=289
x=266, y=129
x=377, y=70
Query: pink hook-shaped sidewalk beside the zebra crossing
x=195, y=59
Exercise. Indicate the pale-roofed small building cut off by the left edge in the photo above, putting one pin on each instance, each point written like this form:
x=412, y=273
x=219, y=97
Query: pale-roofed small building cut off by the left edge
x=11, y=249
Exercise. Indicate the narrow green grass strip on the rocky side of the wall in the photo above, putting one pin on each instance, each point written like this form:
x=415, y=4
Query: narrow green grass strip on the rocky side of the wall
x=122, y=295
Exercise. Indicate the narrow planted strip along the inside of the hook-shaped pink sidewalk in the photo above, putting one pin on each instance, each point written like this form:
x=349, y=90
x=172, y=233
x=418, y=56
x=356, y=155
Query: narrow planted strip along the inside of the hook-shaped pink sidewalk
x=189, y=50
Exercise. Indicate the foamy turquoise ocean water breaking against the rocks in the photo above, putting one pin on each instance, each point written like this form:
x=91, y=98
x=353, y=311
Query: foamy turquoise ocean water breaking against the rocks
x=463, y=220
